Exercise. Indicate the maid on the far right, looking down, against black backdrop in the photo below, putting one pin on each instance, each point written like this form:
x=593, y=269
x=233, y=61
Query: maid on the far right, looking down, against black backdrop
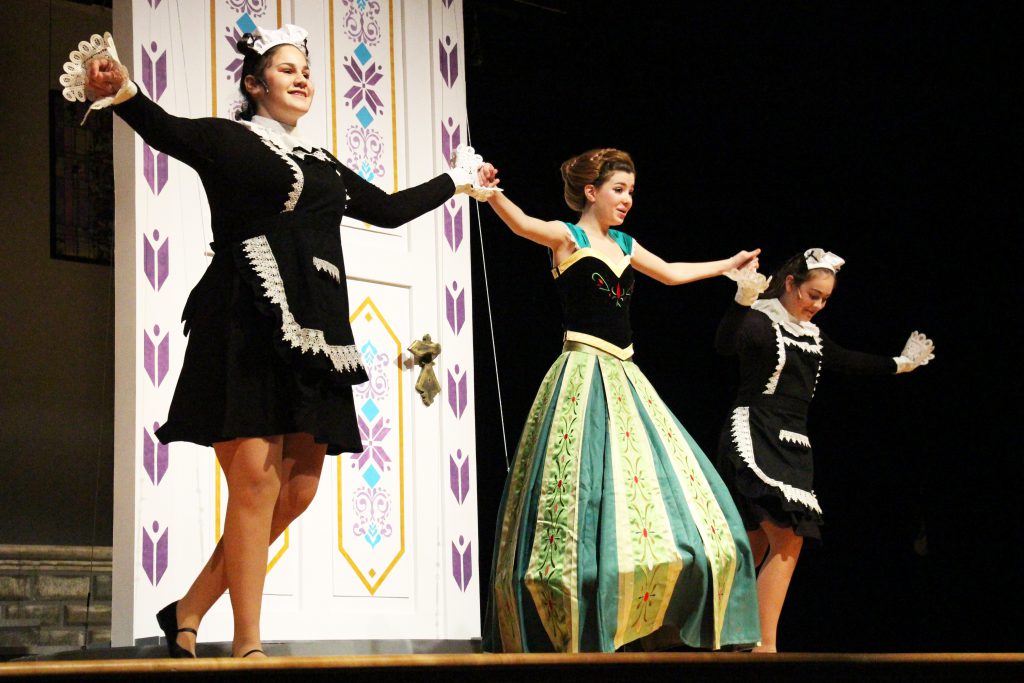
x=764, y=452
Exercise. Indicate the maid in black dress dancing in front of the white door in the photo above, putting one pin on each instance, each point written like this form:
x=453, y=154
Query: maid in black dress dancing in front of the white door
x=271, y=360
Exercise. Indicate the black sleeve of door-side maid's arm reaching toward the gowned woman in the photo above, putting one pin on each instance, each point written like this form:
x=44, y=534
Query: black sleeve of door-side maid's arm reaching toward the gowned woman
x=369, y=203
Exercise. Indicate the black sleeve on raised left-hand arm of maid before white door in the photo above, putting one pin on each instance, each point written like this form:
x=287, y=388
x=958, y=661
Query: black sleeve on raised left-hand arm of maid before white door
x=193, y=142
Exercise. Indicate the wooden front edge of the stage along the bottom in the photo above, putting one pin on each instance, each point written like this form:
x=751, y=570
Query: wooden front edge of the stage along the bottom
x=647, y=668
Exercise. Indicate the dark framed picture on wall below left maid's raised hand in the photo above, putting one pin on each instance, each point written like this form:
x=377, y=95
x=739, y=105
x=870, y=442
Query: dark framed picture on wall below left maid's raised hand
x=81, y=184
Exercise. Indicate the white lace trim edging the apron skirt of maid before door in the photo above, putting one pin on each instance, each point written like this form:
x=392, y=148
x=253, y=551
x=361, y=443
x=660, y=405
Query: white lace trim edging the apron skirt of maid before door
x=309, y=340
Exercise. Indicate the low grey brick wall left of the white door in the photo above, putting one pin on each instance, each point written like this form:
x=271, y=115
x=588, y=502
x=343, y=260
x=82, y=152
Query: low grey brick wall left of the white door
x=45, y=599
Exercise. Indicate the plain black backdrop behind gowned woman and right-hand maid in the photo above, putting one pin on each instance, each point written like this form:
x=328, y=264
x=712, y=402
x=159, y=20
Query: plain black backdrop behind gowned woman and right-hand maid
x=884, y=133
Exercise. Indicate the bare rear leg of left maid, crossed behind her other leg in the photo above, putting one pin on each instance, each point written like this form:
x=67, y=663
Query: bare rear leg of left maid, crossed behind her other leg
x=303, y=461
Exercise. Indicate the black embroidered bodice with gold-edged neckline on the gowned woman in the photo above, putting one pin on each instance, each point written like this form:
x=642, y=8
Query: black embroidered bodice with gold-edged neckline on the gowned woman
x=595, y=294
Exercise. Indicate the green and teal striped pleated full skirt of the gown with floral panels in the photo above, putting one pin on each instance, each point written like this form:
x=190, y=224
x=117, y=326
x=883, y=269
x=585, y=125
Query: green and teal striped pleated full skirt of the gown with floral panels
x=615, y=528
